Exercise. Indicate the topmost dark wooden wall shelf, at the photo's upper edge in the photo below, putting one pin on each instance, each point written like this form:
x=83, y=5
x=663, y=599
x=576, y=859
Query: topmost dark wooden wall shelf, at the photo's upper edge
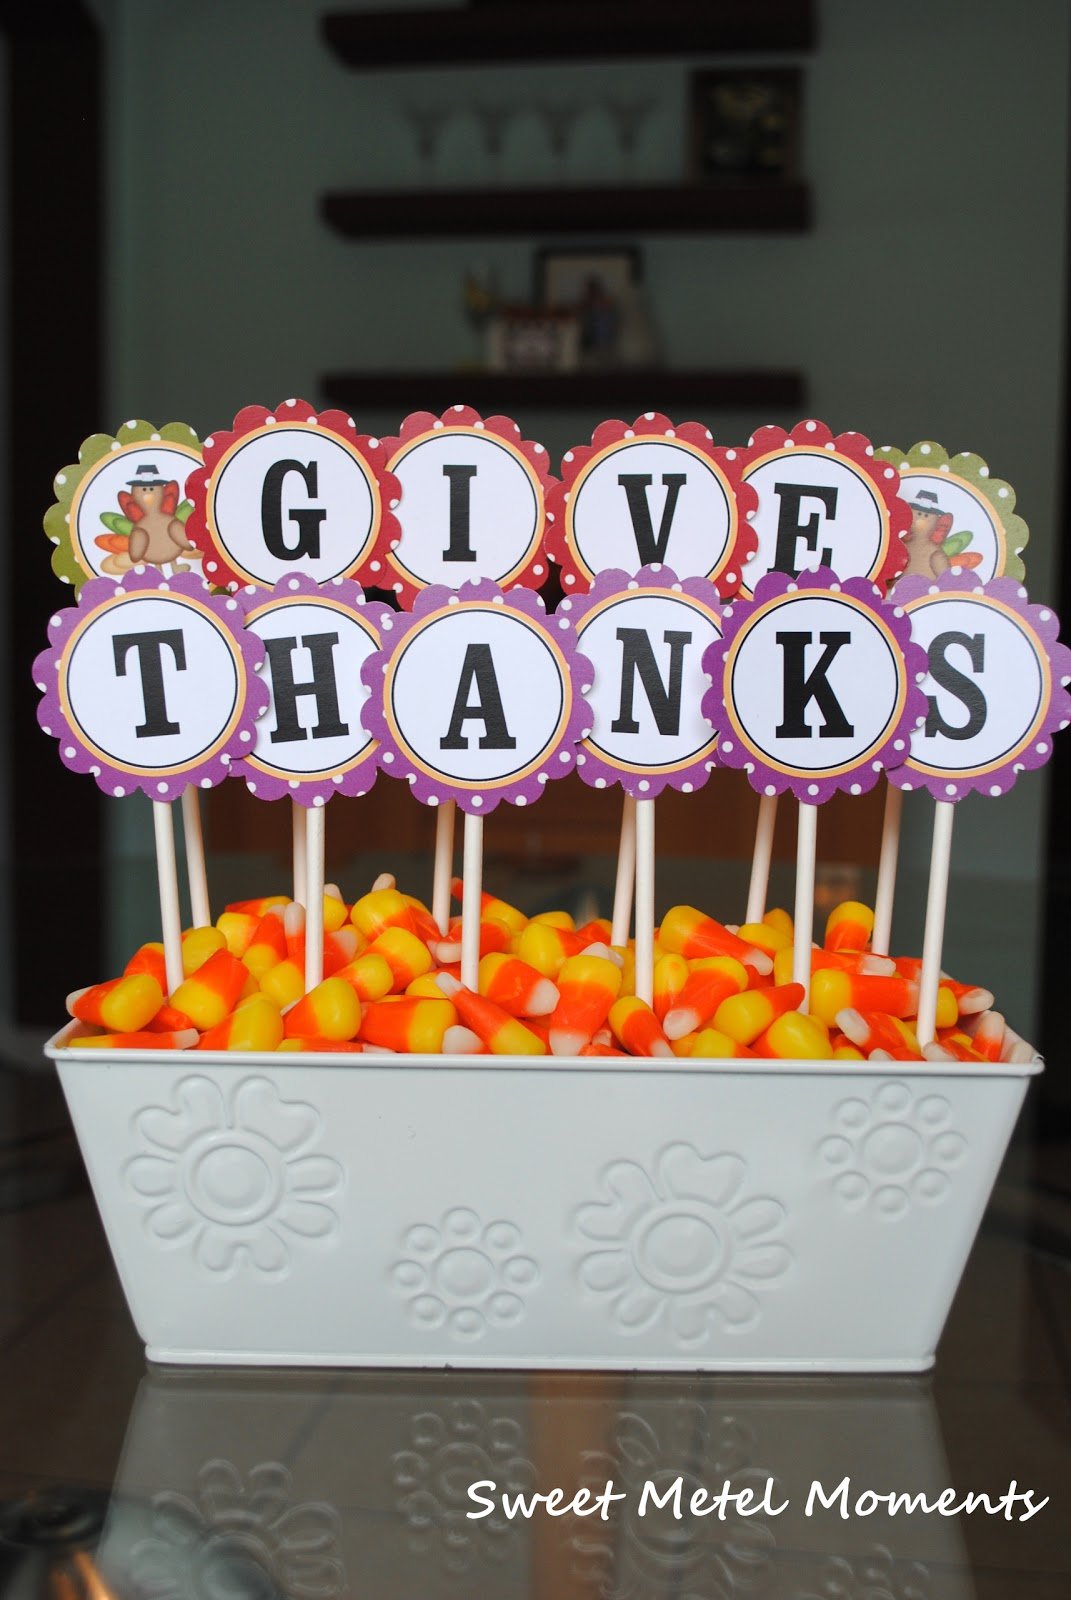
x=555, y=31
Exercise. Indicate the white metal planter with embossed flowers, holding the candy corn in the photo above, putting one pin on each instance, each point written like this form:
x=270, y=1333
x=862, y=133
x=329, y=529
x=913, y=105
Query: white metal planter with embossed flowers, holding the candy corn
x=422, y=1212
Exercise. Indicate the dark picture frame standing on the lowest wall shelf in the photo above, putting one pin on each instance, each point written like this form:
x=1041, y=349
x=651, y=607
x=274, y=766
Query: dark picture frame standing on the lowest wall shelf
x=600, y=286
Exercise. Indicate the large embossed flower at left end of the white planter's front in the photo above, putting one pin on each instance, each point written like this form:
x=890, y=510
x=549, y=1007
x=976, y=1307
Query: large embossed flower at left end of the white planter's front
x=235, y=1178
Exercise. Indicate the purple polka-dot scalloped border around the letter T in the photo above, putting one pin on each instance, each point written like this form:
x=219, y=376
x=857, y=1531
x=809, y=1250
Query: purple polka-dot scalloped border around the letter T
x=114, y=780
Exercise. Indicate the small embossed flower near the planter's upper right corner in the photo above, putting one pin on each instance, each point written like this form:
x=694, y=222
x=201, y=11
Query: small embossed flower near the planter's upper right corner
x=892, y=1151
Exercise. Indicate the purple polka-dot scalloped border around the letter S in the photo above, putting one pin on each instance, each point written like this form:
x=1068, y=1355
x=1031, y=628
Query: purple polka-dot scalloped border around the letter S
x=1046, y=625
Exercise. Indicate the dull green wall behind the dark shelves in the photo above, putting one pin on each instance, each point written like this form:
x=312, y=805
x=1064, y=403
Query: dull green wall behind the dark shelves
x=928, y=302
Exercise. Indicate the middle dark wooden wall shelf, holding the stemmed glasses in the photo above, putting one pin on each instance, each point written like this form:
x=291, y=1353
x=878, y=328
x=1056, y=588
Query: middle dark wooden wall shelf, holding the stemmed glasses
x=659, y=209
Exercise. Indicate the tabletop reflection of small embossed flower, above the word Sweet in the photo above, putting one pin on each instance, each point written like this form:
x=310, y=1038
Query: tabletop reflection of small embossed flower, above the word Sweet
x=449, y=1450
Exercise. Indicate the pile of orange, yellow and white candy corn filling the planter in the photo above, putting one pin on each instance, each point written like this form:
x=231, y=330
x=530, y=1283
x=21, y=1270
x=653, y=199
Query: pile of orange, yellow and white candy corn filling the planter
x=391, y=983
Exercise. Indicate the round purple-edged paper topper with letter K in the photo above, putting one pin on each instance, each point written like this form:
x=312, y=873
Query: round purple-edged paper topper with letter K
x=814, y=687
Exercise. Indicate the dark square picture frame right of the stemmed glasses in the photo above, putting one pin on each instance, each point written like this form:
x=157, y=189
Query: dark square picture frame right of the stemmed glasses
x=745, y=126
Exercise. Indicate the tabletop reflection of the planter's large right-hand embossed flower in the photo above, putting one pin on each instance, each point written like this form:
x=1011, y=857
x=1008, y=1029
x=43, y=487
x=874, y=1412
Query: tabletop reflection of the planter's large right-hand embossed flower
x=633, y=1556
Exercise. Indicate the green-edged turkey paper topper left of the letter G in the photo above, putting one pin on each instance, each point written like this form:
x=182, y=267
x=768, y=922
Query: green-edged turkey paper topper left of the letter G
x=124, y=503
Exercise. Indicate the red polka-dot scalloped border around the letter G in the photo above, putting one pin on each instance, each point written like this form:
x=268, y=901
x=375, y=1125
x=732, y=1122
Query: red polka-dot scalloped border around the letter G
x=372, y=570
